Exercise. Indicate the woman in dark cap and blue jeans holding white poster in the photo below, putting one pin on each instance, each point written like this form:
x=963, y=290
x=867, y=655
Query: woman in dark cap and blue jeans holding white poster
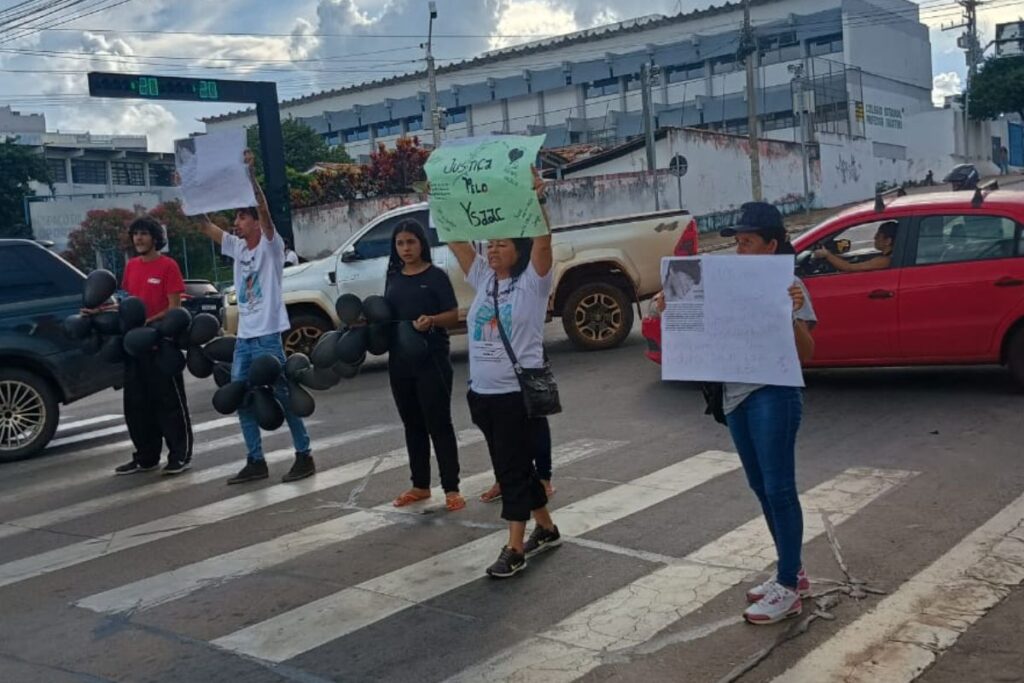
x=763, y=421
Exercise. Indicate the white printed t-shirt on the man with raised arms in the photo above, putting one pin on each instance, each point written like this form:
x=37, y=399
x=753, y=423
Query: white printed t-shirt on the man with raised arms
x=258, y=285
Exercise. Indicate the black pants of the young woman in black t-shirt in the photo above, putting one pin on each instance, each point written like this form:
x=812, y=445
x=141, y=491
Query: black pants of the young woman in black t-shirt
x=424, y=403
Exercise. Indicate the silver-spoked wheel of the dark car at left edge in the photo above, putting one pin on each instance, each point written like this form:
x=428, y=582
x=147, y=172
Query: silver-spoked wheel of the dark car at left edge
x=29, y=414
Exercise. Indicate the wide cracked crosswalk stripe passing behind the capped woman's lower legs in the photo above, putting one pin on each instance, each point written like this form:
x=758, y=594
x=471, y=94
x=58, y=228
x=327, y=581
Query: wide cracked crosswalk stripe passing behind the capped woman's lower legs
x=638, y=612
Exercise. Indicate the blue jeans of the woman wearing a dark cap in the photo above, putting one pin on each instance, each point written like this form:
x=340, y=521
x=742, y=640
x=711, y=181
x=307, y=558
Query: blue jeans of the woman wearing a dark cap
x=764, y=430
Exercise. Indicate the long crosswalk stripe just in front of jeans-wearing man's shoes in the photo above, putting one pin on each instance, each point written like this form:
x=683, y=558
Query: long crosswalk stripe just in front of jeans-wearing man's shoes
x=108, y=544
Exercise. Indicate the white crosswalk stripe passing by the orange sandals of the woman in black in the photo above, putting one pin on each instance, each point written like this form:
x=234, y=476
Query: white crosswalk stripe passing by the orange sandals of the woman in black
x=177, y=584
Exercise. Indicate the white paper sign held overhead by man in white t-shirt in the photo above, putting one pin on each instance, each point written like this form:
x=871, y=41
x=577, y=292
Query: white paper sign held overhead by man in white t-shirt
x=214, y=174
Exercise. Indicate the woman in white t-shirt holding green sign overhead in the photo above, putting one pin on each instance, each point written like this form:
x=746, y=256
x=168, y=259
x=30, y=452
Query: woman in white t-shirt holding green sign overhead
x=513, y=285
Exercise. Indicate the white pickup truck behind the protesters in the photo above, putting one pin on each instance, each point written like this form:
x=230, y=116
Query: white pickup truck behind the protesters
x=603, y=269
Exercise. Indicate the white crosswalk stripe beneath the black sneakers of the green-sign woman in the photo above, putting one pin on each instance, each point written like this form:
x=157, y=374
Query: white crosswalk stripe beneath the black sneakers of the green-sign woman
x=333, y=617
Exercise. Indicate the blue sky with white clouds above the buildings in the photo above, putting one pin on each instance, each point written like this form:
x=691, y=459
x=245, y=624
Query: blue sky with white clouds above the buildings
x=305, y=46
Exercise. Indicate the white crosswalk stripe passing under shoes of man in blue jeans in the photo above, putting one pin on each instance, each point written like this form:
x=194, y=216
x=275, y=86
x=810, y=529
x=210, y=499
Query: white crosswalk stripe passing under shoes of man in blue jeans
x=169, y=485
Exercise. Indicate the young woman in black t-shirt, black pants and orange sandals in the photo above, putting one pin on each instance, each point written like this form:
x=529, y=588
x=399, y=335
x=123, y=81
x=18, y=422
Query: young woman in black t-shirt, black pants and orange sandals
x=421, y=295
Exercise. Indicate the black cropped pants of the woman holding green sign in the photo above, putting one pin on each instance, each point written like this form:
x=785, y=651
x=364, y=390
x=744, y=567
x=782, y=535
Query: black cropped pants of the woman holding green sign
x=503, y=420
